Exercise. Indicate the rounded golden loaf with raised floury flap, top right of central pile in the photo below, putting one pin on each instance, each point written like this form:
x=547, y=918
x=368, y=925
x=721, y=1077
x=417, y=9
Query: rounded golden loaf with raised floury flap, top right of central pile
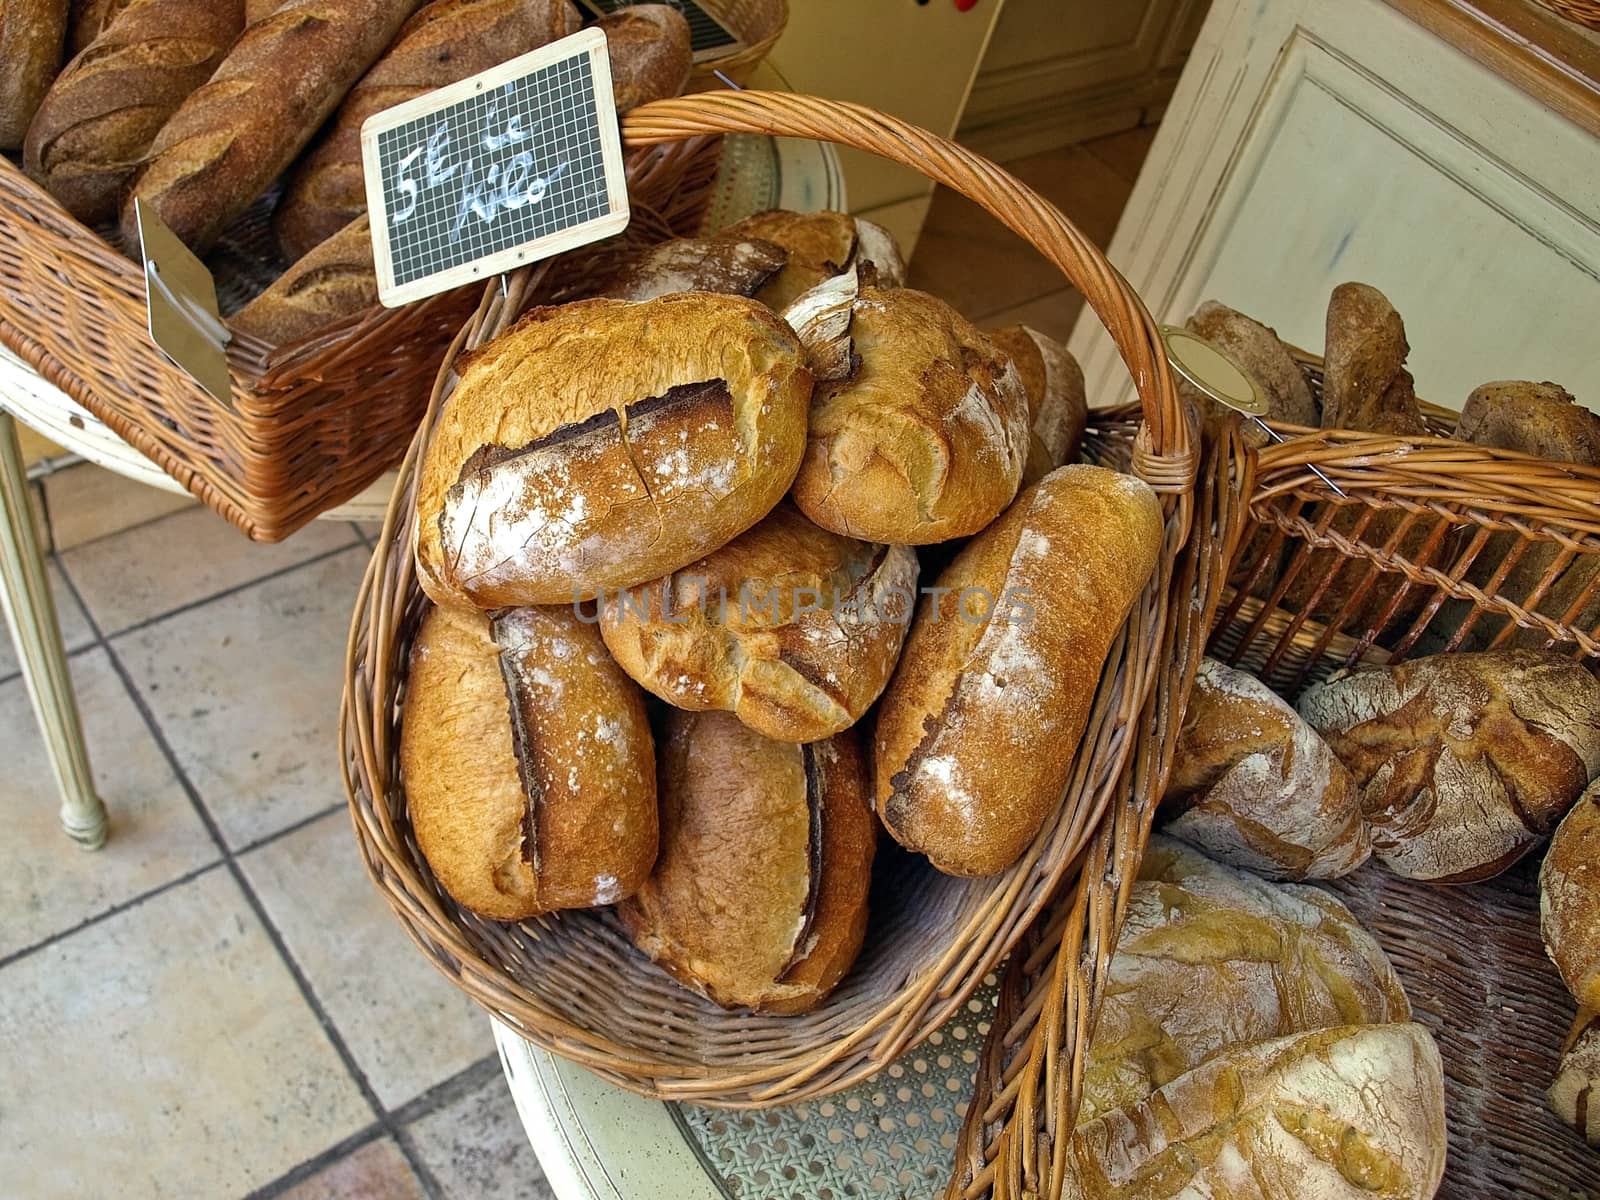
x=919, y=423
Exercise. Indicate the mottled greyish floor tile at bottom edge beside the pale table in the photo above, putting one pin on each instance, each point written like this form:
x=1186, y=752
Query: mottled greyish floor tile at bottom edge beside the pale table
x=476, y=1148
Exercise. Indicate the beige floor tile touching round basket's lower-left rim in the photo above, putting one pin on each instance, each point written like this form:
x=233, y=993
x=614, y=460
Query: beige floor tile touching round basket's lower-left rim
x=367, y=975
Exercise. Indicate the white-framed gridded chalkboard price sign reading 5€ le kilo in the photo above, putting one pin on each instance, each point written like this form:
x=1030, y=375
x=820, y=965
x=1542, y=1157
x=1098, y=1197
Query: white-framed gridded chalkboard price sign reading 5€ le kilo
x=495, y=172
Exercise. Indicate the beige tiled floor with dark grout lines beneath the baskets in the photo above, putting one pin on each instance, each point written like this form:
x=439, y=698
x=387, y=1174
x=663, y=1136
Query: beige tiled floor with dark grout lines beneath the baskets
x=218, y=1004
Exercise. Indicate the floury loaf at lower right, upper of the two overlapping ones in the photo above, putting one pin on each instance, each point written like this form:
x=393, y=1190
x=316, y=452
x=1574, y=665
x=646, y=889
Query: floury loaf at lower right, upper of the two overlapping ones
x=1210, y=959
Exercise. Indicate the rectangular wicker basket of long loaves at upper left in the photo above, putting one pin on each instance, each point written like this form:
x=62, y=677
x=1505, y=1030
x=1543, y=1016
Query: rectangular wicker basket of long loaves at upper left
x=311, y=425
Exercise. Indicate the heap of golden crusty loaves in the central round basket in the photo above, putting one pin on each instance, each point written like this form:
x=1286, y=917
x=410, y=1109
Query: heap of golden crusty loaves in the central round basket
x=734, y=567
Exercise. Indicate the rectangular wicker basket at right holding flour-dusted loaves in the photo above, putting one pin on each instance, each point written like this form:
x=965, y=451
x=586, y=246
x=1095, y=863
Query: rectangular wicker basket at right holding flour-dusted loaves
x=1418, y=521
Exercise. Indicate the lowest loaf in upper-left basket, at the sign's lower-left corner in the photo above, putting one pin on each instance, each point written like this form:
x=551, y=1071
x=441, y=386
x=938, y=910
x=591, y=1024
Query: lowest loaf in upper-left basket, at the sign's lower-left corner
x=332, y=282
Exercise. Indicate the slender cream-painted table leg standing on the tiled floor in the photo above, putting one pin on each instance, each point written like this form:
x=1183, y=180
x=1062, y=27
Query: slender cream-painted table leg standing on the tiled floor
x=30, y=610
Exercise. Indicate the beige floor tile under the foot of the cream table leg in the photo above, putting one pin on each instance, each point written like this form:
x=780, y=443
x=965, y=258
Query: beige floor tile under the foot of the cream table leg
x=47, y=884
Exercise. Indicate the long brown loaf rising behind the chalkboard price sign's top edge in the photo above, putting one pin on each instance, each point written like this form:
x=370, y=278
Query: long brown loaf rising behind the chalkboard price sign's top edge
x=444, y=42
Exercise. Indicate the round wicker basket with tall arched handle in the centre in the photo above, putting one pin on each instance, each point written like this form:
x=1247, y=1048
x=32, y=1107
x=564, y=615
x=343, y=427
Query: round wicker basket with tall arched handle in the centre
x=574, y=983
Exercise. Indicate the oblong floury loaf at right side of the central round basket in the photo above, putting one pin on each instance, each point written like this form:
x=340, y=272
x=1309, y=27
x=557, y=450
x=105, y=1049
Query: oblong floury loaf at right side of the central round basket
x=982, y=722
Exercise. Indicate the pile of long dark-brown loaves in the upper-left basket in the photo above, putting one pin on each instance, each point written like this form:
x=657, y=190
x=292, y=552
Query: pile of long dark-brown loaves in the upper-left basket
x=201, y=108
